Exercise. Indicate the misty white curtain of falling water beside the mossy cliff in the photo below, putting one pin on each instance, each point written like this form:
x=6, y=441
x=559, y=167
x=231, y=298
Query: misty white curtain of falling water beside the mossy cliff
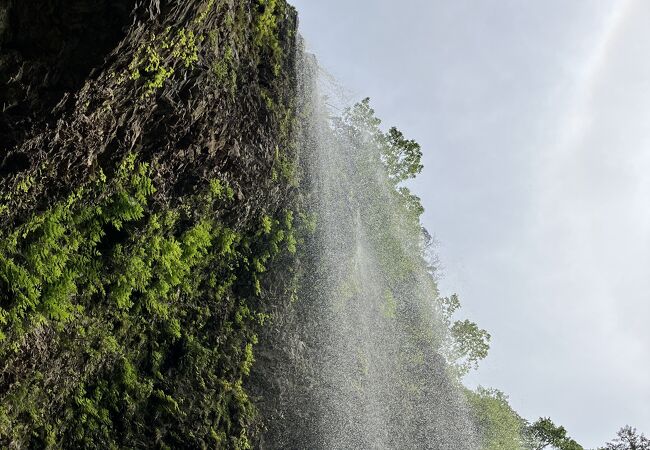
x=361, y=365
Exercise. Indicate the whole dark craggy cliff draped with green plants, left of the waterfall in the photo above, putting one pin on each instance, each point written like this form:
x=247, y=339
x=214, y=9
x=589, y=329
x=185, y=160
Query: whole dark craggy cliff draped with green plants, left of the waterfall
x=148, y=197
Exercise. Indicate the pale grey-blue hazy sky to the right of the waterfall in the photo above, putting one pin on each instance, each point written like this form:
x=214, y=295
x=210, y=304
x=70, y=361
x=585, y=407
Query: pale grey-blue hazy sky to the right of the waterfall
x=534, y=120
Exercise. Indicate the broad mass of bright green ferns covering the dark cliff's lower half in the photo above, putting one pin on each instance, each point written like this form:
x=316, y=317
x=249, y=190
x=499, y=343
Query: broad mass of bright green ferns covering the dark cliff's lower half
x=155, y=307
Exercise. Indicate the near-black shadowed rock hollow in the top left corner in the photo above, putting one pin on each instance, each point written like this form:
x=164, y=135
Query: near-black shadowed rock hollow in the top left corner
x=49, y=50
